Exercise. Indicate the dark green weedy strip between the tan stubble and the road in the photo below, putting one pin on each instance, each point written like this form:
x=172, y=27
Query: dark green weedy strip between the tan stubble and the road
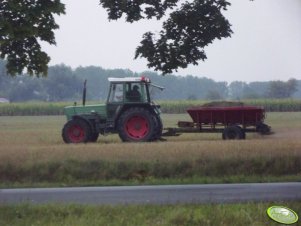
x=77, y=171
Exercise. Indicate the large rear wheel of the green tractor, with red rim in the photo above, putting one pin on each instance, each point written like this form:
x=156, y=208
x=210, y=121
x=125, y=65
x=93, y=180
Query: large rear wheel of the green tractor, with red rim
x=136, y=125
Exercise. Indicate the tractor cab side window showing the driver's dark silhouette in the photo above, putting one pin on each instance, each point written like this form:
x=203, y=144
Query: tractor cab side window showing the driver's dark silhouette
x=136, y=92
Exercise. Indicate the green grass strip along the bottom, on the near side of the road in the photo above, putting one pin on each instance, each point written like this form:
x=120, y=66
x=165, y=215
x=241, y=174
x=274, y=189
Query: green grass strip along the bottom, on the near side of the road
x=177, y=215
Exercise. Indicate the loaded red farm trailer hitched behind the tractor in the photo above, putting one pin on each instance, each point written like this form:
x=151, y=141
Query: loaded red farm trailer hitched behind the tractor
x=233, y=122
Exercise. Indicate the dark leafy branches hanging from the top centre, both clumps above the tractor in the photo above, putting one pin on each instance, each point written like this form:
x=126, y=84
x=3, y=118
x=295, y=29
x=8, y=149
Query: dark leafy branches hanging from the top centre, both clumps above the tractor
x=187, y=31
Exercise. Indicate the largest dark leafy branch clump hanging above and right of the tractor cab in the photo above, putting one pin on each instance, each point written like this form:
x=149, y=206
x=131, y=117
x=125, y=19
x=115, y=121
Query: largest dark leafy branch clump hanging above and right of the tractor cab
x=185, y=35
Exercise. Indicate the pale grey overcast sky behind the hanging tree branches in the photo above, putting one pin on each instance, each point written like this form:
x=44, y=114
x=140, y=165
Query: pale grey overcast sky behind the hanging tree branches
x=266, y=44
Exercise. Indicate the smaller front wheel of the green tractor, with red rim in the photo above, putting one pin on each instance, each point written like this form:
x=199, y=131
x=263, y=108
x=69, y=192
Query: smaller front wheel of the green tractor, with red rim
x=76, y=131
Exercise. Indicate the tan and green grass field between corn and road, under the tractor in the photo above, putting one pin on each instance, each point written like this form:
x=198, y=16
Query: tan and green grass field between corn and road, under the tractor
x=33, y=154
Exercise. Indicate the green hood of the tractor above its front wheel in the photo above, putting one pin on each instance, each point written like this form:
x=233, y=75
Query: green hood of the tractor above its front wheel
x=71, y=111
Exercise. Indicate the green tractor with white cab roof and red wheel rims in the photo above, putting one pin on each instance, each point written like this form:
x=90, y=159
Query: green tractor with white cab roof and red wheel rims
x=128, y=111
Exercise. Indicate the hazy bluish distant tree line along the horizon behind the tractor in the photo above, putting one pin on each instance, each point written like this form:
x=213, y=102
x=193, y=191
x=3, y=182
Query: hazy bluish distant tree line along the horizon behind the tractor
x=65, y=84
